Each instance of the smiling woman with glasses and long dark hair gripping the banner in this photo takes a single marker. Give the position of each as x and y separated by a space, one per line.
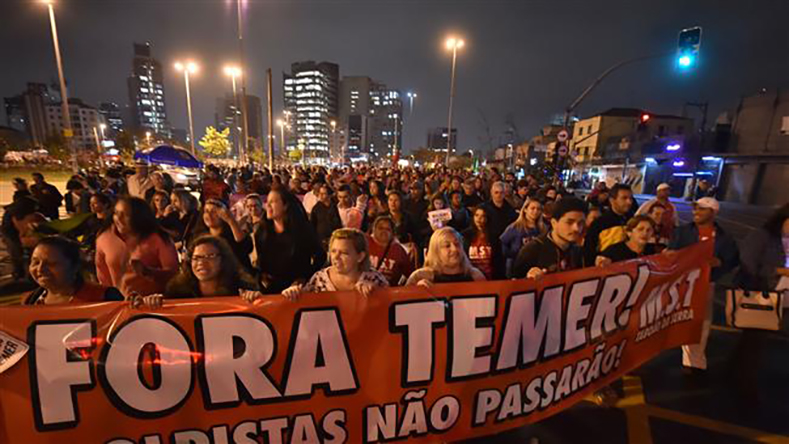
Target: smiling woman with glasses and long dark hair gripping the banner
213 270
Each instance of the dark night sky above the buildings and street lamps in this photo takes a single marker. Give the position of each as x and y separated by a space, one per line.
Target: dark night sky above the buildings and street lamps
523 59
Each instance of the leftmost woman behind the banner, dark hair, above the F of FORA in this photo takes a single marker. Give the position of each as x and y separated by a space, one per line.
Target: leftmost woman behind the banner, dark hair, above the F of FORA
56 266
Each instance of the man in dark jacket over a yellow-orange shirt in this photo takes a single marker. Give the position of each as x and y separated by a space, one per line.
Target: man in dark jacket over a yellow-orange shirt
609 228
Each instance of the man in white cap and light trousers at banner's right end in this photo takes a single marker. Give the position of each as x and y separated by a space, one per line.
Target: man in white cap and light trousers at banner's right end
725 258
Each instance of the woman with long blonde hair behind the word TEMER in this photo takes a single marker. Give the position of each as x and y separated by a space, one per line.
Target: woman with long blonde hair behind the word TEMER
446 261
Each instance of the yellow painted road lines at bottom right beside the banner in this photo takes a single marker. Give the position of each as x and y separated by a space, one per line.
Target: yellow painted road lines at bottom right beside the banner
638 412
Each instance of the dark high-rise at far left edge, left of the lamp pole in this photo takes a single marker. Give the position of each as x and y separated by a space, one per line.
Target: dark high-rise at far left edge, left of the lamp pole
26 112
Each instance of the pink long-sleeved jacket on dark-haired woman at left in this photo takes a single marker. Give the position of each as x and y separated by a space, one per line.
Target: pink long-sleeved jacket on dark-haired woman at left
113 262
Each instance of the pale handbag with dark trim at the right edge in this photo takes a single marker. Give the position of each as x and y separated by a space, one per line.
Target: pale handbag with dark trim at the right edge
761 310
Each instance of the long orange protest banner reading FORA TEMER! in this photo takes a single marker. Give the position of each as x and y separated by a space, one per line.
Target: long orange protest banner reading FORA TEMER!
451 362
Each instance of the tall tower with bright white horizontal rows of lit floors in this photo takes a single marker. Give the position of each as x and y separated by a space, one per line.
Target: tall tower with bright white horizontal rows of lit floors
310 95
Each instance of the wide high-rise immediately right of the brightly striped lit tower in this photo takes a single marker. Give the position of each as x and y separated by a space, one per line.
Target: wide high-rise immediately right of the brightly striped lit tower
377 132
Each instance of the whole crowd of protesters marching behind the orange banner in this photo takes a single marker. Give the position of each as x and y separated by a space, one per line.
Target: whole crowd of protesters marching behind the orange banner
135 235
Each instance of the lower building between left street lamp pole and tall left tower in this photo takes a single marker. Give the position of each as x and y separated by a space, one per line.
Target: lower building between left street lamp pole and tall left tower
84 119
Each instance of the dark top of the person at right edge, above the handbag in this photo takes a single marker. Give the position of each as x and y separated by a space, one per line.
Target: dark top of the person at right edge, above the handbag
761 254
